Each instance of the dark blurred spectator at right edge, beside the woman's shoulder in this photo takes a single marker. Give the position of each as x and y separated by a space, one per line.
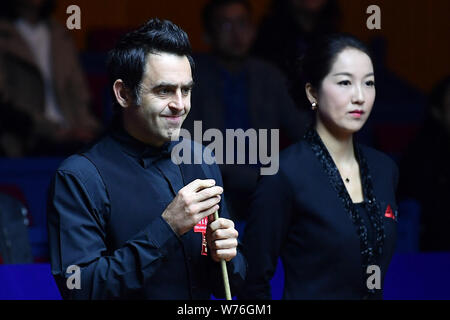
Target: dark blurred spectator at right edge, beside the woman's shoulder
425 172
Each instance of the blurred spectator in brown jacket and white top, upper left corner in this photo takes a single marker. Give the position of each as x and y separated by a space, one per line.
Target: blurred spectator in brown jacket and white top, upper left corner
42 86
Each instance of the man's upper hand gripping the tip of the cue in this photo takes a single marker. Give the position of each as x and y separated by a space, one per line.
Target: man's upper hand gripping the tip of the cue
197 200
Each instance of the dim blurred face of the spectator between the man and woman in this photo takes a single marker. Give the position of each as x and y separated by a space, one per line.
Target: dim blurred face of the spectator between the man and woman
232 31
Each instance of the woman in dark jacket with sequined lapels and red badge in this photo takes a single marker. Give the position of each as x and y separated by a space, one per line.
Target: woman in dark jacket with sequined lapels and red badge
330 212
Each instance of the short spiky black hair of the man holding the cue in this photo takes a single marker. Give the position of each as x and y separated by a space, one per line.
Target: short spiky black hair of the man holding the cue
127 60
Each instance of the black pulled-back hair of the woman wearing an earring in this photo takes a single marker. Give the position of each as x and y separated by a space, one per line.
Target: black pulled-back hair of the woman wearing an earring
318 60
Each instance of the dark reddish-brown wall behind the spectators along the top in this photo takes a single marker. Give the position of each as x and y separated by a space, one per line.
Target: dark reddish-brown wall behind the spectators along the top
417 32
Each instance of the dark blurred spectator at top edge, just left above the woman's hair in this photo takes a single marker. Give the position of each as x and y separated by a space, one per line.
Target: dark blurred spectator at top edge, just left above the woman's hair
291 25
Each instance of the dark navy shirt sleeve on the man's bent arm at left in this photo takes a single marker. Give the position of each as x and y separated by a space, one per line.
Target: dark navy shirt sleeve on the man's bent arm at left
77 209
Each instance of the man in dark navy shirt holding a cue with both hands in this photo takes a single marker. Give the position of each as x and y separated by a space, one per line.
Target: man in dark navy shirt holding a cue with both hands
136 224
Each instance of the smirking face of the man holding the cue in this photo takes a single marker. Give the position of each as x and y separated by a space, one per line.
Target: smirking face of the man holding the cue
165 99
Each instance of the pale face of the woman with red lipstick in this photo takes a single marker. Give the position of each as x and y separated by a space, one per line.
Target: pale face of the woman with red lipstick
347 93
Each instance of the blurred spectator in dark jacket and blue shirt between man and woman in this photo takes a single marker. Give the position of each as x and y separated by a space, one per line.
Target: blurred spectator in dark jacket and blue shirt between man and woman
236 91
